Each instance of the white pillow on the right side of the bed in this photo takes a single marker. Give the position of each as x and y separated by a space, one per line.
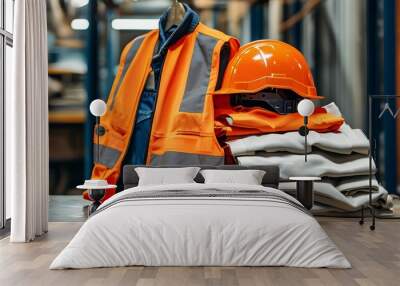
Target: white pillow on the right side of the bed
248 177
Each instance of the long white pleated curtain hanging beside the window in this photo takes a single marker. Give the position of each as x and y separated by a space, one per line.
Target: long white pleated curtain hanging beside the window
27 123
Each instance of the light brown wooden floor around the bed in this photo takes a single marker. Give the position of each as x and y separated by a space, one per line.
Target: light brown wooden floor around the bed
375 257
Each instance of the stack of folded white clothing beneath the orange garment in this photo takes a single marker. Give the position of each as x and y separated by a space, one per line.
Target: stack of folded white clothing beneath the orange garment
340 159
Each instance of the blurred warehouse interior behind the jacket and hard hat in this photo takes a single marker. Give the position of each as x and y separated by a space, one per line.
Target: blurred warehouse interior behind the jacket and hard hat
344 42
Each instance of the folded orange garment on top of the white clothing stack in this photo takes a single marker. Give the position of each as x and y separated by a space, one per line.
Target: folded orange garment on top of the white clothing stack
244 121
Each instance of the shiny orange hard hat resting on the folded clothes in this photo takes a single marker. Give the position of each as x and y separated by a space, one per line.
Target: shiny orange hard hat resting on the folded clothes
268 64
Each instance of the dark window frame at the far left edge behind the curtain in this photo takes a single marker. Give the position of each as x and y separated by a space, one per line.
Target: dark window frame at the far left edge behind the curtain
6 39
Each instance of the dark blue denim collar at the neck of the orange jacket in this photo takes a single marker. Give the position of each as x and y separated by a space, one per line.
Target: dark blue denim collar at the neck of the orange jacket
188 24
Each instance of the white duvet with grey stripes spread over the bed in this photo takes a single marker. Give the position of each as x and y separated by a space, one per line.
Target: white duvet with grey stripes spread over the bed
189 231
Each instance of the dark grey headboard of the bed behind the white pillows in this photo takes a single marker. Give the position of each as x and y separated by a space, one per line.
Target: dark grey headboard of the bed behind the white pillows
271 177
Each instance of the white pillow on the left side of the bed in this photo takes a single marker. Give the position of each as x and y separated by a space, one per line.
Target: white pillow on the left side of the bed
166 176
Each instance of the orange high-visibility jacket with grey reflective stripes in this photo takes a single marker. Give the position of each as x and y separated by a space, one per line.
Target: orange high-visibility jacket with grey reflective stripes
183 122
